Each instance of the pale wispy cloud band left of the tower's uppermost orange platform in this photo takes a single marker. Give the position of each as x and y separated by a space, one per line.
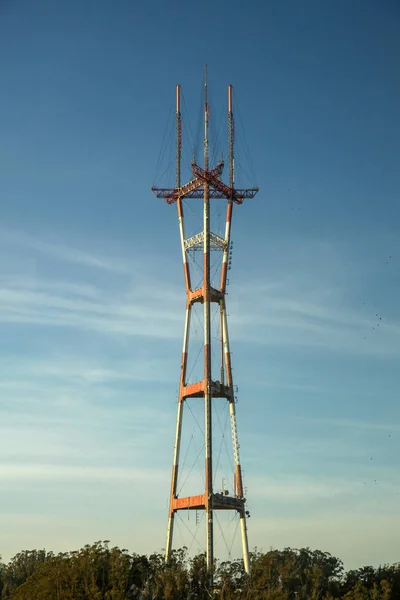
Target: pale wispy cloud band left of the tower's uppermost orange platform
110 312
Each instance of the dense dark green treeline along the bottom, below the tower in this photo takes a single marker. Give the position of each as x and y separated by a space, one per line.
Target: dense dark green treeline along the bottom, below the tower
98 572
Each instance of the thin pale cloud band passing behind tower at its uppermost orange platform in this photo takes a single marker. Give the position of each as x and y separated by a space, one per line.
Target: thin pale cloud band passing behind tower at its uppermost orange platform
140 311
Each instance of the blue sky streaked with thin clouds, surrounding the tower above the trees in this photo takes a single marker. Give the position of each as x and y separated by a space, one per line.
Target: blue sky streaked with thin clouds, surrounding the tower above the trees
92 298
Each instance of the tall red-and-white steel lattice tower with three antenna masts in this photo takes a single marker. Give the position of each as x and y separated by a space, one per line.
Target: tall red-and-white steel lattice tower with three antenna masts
206 183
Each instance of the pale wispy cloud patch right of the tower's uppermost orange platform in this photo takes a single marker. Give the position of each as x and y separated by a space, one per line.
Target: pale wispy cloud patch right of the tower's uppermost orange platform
287 315
